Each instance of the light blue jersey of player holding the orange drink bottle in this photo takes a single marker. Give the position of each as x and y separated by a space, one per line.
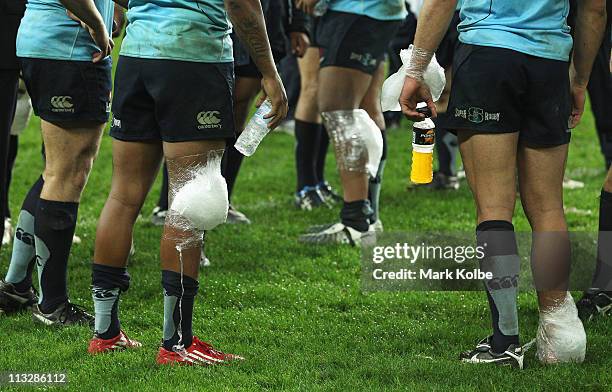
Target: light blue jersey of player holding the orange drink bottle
535 27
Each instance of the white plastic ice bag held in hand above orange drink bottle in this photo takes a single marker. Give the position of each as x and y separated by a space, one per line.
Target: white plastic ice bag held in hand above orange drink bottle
392 88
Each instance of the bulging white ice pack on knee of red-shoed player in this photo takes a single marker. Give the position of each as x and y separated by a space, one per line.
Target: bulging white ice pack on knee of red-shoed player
202 199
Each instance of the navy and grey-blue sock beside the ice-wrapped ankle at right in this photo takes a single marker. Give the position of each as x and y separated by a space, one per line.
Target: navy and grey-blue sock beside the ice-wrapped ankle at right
501 259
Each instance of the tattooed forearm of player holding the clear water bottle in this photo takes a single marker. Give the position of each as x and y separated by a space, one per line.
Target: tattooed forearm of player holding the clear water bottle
250 26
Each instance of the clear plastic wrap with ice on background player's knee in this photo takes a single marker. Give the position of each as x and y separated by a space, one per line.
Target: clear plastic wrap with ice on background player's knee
358 142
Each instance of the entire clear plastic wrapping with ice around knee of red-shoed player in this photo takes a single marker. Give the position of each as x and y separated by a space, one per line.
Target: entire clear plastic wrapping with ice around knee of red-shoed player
197 196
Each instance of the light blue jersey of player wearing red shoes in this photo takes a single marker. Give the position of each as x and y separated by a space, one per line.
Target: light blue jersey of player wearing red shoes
187 30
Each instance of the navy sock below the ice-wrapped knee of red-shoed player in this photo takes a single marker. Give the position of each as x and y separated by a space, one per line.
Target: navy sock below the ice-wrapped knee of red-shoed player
178 308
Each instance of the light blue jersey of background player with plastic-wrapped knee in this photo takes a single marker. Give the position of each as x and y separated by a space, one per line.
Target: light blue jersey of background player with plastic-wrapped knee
376 9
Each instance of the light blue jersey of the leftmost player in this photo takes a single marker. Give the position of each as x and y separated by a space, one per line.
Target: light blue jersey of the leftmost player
47 32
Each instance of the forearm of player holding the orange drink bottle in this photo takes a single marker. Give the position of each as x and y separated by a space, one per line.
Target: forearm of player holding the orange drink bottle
433 22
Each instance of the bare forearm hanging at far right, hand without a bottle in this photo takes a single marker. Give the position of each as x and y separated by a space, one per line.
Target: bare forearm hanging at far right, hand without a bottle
590 27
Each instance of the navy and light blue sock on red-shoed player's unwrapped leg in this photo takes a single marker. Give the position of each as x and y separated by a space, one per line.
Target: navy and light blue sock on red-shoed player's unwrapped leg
107 285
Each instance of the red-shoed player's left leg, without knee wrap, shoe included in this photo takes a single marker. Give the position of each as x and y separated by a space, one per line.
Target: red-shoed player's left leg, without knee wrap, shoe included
131 181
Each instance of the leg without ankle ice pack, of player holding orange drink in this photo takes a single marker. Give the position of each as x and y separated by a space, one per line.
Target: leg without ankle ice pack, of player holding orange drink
490 167
